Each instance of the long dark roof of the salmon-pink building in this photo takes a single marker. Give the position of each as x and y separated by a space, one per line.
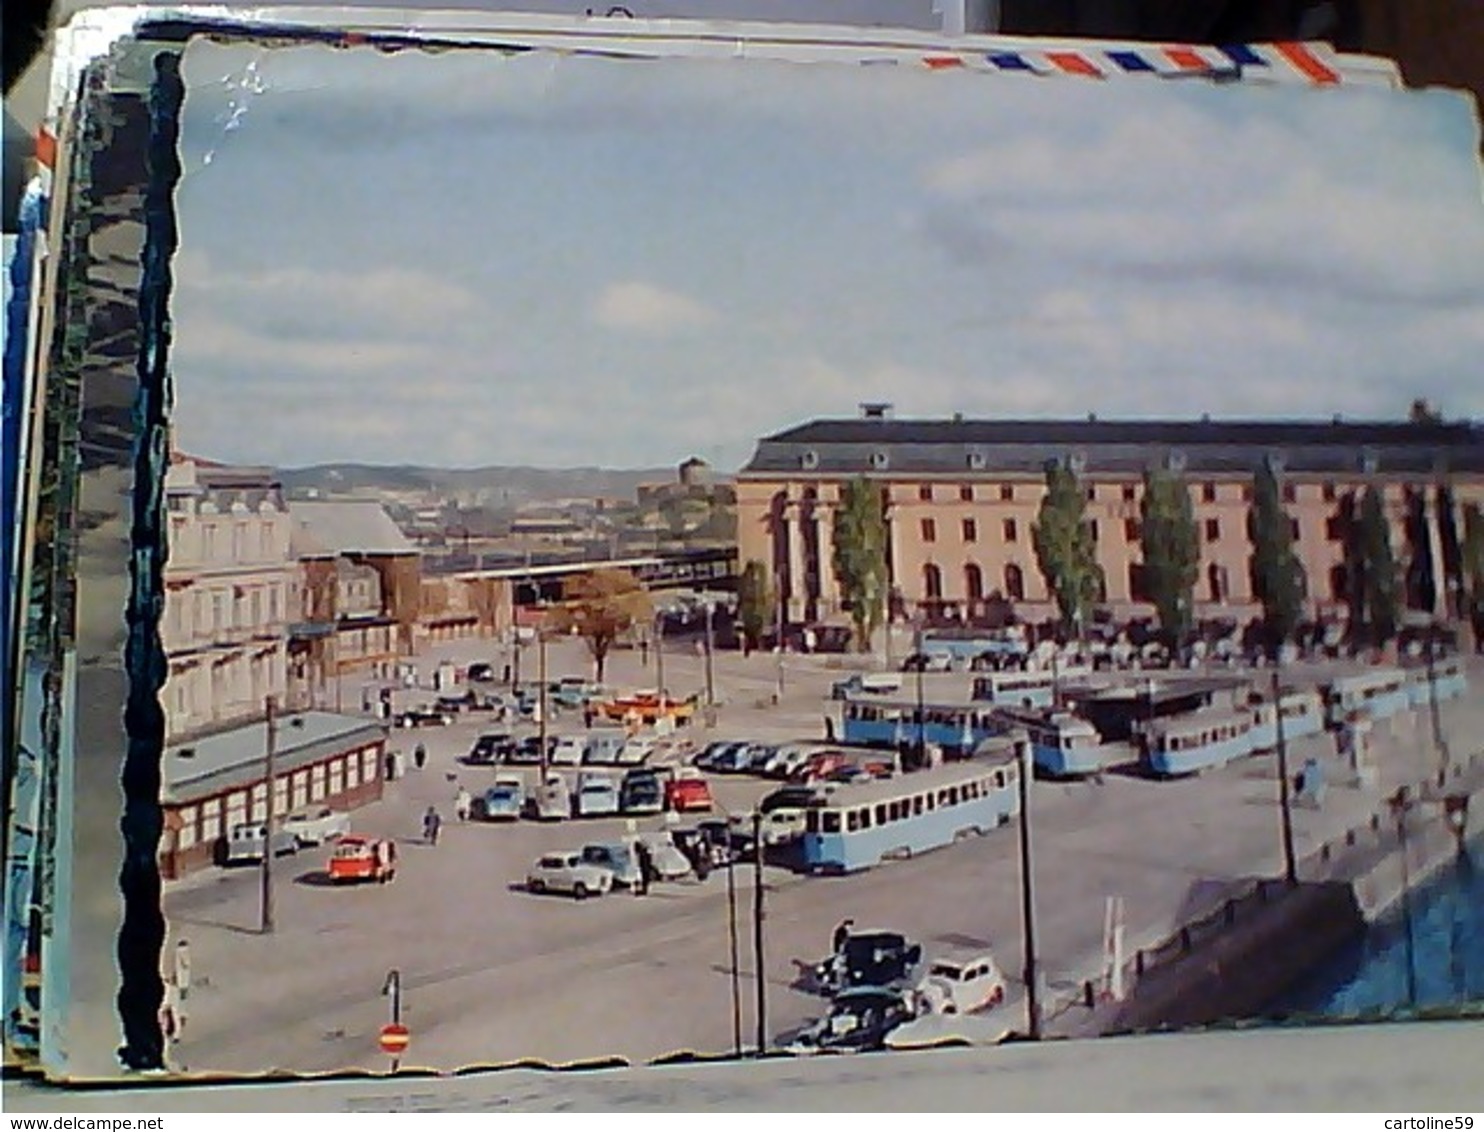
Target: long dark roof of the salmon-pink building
1115 447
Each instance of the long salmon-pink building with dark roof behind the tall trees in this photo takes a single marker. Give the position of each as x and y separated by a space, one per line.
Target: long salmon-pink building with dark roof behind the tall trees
964 495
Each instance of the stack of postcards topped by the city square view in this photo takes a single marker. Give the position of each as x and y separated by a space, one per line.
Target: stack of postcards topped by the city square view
680 533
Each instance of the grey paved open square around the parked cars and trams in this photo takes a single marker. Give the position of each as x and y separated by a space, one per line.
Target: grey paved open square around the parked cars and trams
492 974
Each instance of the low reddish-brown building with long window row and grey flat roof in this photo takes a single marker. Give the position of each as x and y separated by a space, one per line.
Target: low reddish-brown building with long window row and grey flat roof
220 781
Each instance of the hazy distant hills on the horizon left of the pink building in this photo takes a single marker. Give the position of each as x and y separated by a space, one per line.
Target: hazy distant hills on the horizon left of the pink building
487 487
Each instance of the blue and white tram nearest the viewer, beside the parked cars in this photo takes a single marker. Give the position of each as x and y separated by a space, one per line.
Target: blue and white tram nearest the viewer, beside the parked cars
858 827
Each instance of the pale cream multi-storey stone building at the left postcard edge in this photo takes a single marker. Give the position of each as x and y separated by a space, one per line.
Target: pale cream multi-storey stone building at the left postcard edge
228 585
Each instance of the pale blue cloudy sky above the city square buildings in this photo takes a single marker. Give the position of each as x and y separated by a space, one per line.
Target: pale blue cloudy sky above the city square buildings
473 260
